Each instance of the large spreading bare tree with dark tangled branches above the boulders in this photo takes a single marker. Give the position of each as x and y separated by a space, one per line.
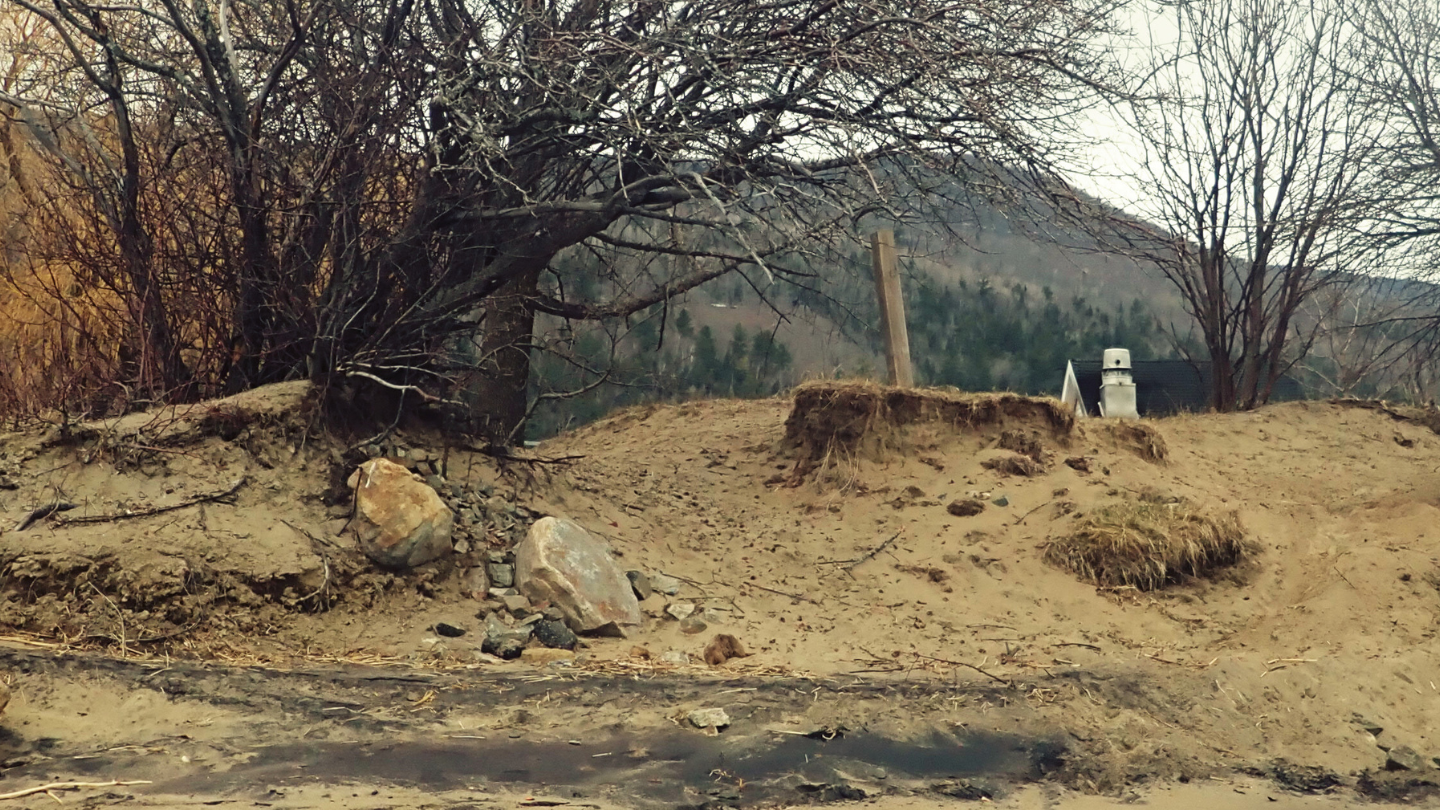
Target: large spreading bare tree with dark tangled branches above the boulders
401 175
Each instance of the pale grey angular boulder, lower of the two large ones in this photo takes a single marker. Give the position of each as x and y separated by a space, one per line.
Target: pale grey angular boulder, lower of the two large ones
562 564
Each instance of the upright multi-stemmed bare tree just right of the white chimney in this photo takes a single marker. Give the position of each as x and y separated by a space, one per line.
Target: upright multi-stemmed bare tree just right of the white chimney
1256 164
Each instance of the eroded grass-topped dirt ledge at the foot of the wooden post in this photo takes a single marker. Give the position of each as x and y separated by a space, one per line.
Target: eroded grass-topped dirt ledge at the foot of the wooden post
836 424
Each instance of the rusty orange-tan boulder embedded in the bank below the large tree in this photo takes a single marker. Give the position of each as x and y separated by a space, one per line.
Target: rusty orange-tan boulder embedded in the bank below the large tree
400 521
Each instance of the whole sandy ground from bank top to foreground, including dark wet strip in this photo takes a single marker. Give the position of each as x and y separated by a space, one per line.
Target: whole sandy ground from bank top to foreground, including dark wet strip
237 648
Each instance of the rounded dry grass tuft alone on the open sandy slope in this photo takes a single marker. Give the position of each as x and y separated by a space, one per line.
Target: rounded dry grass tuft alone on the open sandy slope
1150 546
